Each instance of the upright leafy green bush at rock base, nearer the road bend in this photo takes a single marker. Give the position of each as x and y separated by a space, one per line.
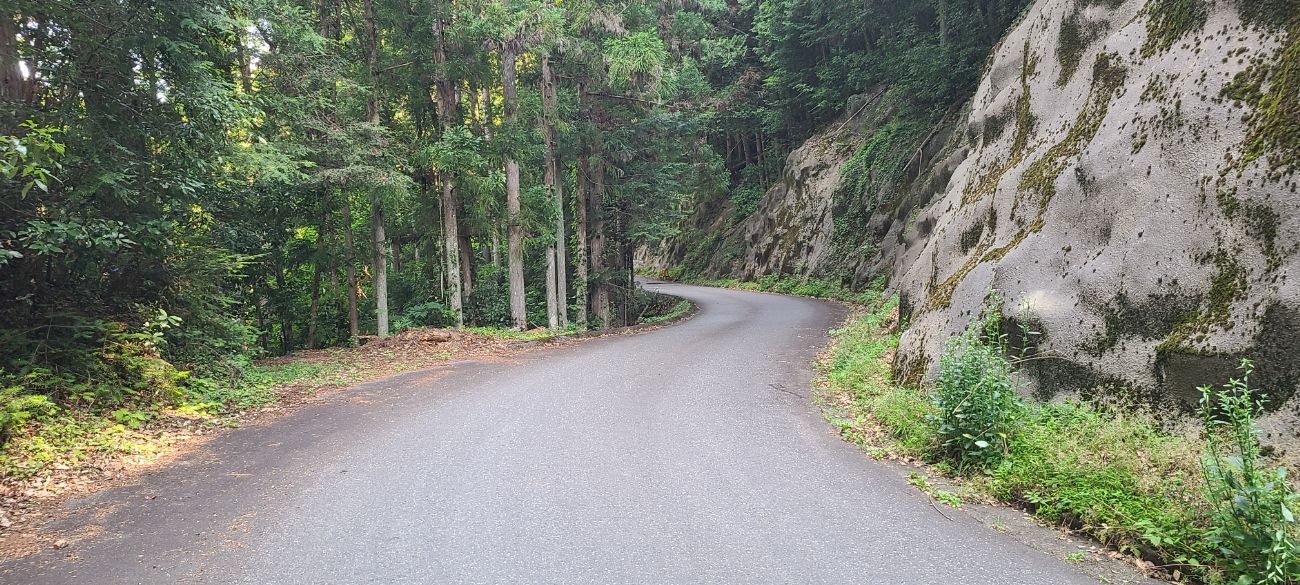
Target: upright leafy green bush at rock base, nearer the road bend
977 401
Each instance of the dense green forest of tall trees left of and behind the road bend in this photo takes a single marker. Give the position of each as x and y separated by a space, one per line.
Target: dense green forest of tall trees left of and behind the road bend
193 185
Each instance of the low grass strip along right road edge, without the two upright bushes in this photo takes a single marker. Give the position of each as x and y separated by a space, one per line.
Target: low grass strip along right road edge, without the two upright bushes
1116 473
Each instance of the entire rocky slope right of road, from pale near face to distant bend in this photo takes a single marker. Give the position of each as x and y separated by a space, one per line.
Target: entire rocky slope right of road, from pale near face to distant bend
1125 177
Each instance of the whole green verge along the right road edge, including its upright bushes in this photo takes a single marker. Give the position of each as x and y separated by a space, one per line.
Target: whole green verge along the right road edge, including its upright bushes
1116 473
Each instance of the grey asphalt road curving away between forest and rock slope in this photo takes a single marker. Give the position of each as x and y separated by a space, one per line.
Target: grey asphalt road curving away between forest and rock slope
690 454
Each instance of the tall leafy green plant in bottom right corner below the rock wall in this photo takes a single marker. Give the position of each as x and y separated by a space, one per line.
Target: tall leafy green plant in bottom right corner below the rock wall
1255 527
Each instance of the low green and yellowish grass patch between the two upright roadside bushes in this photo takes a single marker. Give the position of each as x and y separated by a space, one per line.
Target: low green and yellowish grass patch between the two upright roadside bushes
1111 473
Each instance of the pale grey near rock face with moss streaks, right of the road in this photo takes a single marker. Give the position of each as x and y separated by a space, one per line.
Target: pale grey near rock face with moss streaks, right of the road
1126 203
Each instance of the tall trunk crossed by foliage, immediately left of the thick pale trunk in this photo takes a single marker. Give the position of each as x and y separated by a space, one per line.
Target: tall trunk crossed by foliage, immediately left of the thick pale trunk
450 227
